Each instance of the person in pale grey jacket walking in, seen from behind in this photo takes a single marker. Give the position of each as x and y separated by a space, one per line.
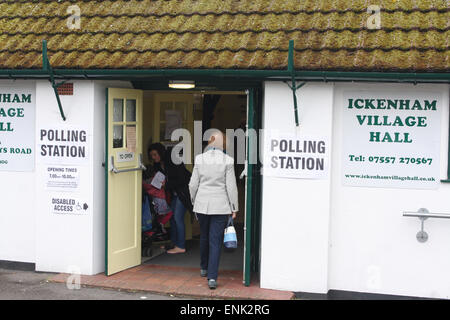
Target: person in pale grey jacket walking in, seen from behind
214 195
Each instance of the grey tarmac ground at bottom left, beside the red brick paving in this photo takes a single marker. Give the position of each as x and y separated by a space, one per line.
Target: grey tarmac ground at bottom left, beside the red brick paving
30 285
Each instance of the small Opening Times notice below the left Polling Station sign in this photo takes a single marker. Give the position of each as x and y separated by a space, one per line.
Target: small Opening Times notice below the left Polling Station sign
62 178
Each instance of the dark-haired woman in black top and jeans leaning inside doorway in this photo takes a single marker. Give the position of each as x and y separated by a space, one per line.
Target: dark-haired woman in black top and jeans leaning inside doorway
176 184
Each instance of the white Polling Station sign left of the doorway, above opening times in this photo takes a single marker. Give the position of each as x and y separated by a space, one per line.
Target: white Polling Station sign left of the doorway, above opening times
63 145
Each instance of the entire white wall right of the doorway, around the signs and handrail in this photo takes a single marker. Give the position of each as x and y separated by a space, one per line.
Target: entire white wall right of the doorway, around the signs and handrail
319 235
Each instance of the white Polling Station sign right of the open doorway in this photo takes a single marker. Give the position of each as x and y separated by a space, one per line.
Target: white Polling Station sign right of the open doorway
299 156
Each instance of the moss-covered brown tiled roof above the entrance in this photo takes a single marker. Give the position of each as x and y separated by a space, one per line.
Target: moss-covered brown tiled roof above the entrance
136 34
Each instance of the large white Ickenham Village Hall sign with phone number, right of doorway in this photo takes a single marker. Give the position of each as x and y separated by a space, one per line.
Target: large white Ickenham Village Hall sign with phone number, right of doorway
391 139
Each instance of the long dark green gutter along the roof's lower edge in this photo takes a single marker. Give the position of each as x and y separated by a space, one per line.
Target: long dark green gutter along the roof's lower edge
231 73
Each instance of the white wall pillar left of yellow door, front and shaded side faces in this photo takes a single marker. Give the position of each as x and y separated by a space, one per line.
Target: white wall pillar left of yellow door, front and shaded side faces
76 243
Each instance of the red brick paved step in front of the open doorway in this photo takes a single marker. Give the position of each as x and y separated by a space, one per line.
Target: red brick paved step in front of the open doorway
180 282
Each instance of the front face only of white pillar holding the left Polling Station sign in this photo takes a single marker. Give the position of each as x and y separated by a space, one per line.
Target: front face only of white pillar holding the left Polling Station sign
65 241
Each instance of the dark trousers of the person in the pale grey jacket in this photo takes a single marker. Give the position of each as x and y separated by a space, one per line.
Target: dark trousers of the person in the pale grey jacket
211 239
